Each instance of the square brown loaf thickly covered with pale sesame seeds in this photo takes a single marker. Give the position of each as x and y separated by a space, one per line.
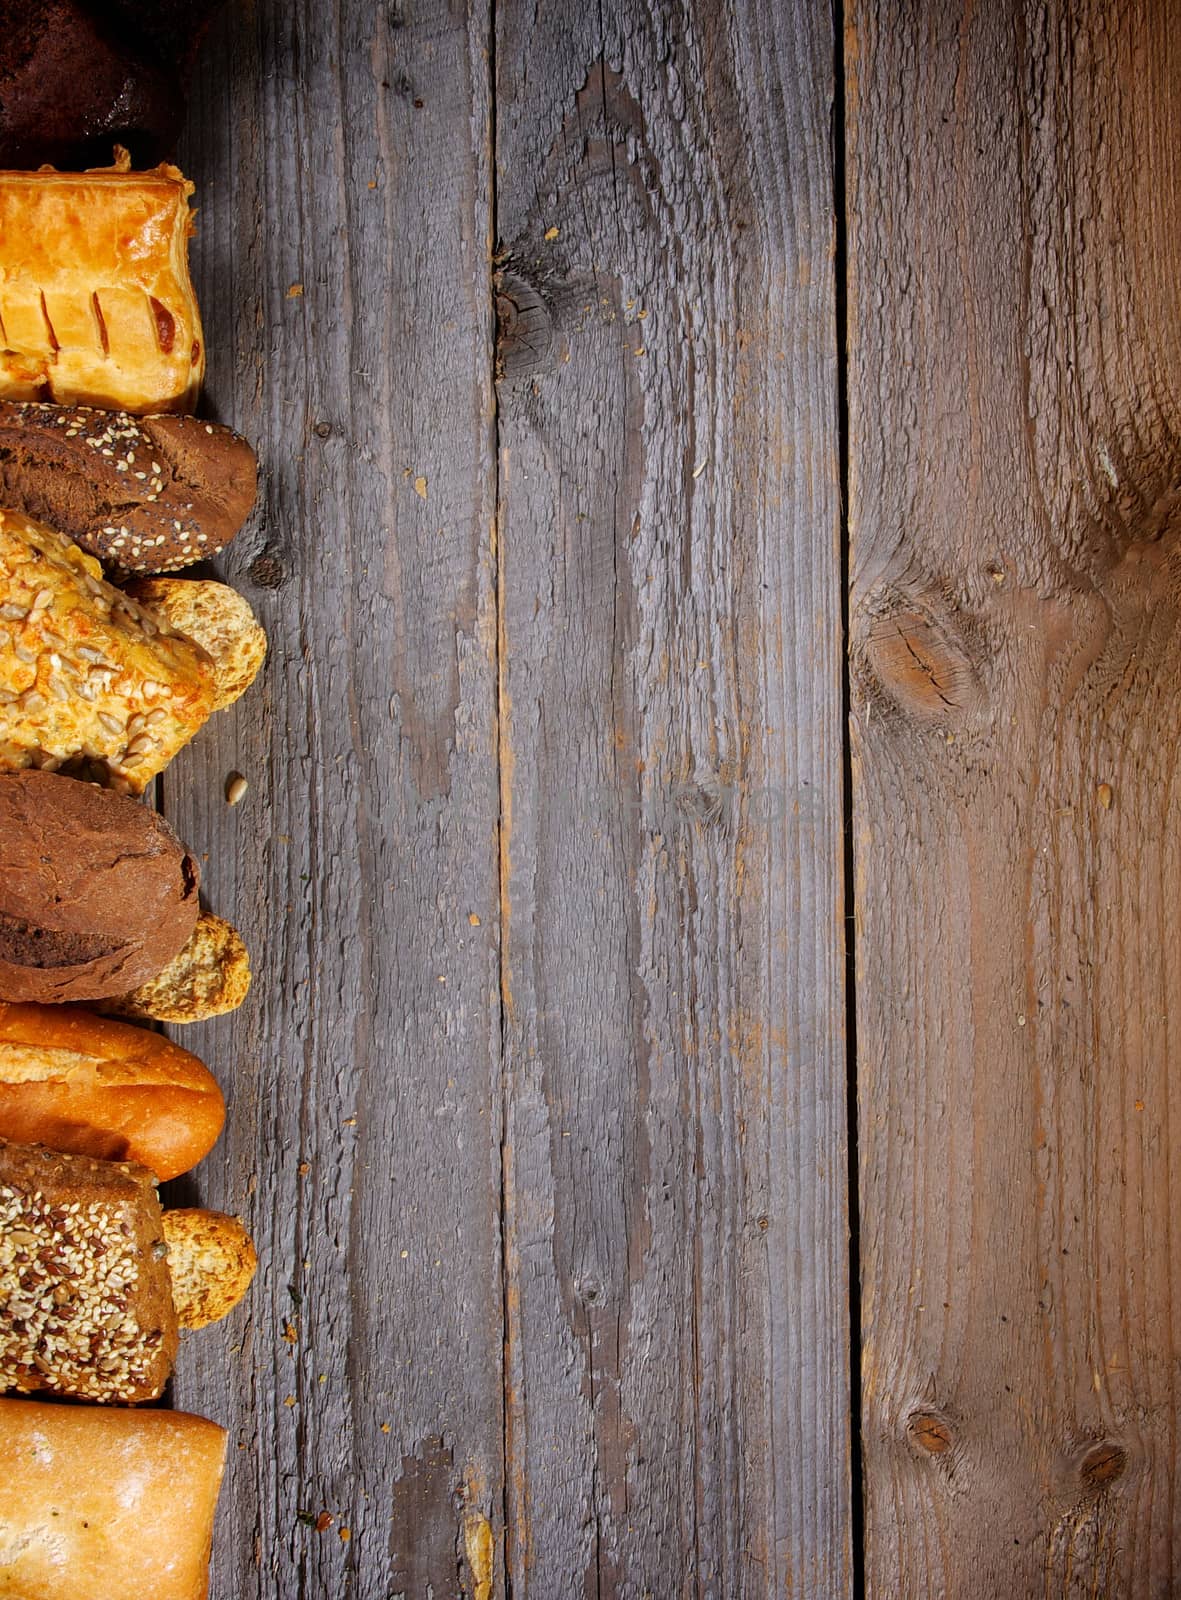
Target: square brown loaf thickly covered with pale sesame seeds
86 1297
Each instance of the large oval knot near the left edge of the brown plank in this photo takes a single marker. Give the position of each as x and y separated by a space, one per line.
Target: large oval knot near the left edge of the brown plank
918 652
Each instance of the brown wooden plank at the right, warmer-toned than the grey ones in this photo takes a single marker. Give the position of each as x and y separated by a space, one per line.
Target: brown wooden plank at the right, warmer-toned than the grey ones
1014 399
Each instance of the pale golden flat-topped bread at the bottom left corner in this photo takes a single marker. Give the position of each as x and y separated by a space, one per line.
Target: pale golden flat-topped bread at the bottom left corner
106 1505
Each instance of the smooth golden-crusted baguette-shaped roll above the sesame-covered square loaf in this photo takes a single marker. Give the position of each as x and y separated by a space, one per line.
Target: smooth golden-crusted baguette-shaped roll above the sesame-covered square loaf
95 1087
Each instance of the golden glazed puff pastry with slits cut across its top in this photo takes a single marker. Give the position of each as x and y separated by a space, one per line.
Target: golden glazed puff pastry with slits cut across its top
95 298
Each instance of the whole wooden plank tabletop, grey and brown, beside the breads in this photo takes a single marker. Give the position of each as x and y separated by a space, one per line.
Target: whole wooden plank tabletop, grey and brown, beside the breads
622 942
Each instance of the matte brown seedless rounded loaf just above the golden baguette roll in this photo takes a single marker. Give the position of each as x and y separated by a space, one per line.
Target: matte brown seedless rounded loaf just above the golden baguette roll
97 892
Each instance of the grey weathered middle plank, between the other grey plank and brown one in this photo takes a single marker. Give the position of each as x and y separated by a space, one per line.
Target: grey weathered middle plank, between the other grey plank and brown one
676 1212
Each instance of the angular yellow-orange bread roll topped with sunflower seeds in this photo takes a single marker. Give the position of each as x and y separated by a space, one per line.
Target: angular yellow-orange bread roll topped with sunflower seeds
89 679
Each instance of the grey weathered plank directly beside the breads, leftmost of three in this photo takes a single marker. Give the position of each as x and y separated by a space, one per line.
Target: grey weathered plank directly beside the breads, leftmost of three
346 150
